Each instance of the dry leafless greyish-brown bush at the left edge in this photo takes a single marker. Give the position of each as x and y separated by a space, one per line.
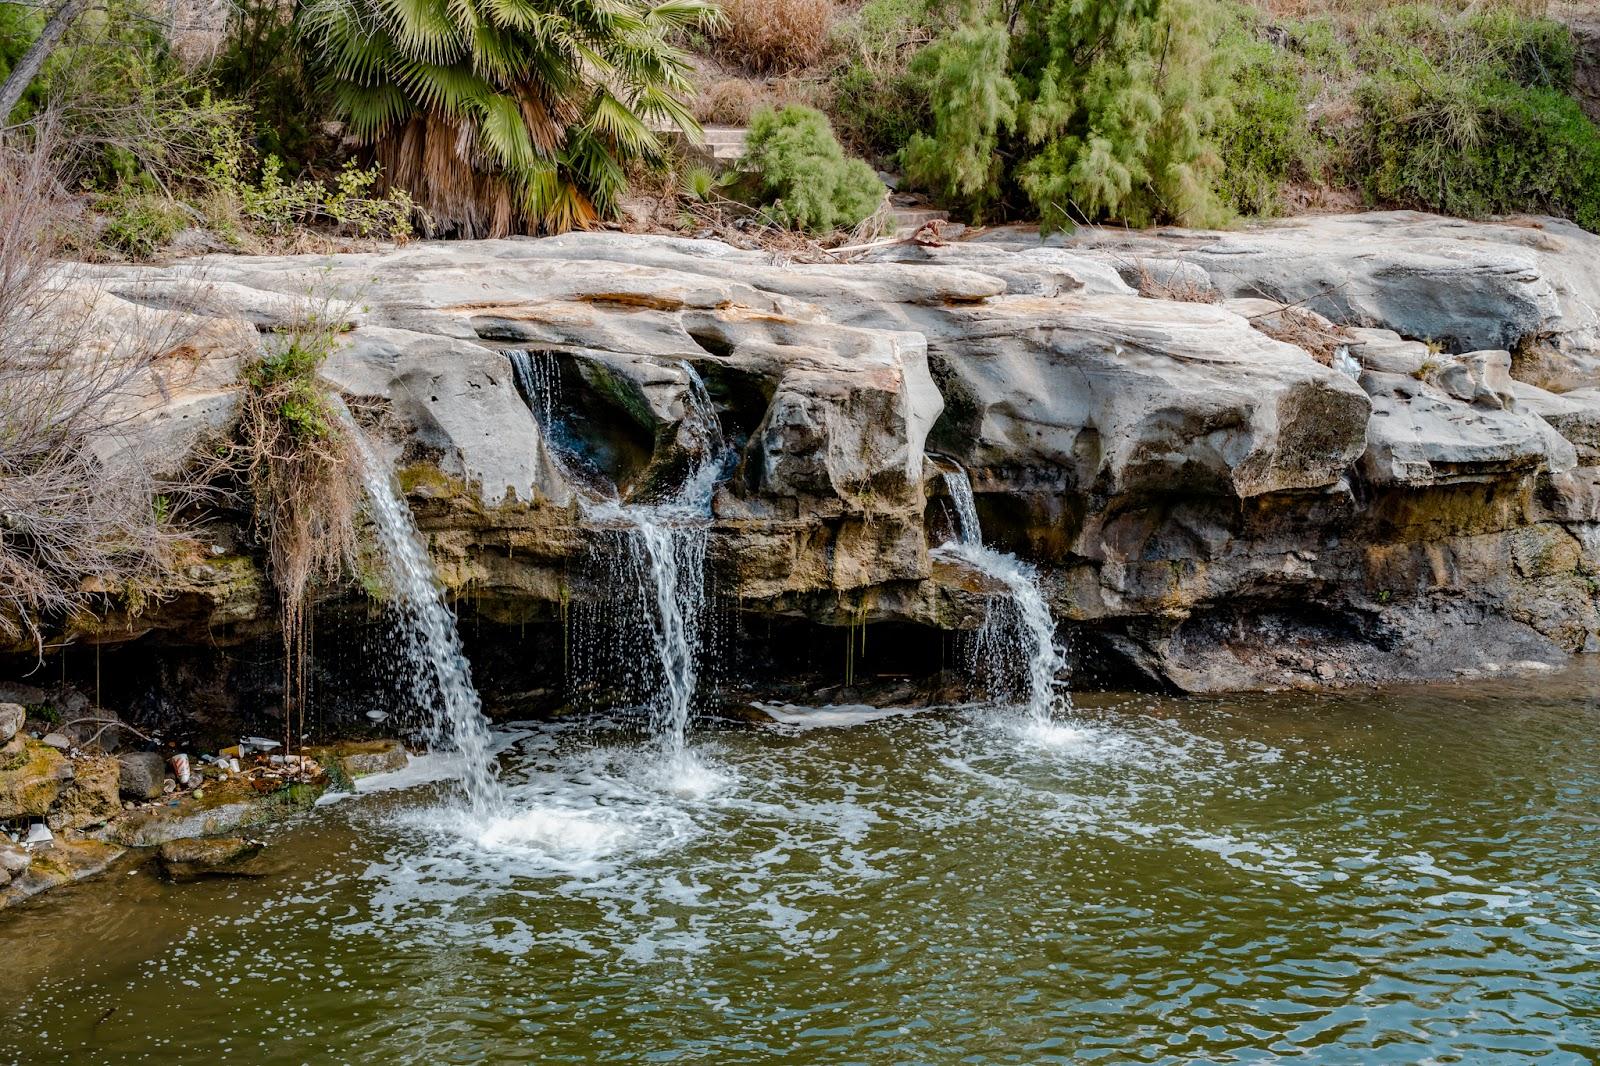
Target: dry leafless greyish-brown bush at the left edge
76 523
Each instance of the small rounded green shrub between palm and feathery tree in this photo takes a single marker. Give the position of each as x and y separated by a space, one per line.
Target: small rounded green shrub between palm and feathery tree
799 175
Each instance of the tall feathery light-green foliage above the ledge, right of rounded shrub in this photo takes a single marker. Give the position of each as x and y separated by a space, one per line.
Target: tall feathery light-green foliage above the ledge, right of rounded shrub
1092 108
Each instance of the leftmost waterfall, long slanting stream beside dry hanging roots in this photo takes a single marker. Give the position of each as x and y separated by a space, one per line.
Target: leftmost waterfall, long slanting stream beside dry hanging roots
438 671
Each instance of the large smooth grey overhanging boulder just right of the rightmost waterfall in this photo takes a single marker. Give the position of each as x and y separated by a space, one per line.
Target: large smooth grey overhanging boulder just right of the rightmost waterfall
1140 398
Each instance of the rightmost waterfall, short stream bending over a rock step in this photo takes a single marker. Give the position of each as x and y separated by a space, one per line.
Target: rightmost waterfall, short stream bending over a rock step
1020 627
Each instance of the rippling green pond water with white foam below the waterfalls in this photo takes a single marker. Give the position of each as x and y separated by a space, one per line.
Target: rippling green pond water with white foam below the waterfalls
1383 878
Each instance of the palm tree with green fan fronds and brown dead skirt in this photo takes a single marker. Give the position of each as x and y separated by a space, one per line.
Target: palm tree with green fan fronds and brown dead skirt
508 116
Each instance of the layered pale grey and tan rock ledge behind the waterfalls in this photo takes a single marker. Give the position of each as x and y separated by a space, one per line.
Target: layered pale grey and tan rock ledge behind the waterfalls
1210 507
